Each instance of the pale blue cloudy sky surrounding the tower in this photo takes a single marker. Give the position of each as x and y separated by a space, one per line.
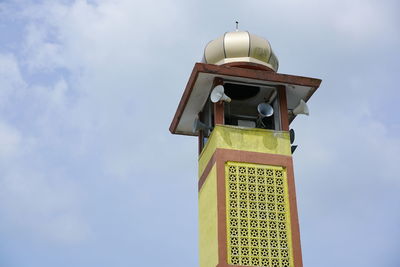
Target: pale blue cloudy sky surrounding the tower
91 176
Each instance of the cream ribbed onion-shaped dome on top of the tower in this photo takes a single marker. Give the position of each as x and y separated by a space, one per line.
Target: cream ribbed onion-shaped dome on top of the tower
237 47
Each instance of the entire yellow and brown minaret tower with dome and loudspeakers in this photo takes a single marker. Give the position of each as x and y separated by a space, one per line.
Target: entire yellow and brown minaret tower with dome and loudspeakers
240 108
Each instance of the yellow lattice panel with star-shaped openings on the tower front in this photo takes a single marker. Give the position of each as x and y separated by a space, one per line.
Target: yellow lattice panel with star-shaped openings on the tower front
258 219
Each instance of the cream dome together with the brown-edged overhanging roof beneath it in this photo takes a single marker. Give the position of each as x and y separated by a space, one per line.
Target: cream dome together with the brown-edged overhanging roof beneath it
243 58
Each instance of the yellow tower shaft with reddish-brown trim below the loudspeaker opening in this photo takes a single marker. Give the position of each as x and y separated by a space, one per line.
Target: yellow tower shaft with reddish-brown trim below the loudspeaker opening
269 233
